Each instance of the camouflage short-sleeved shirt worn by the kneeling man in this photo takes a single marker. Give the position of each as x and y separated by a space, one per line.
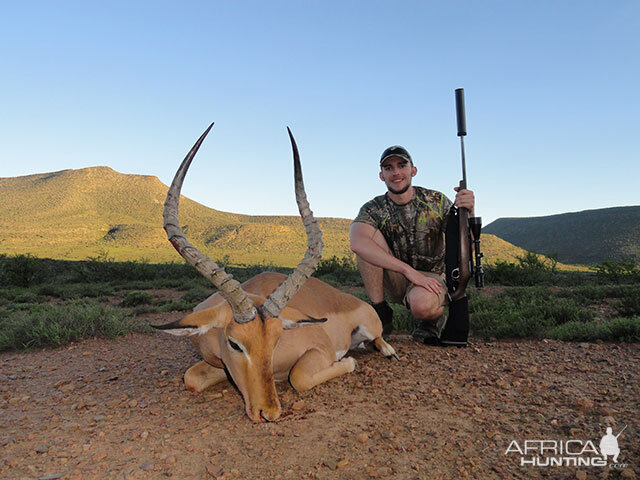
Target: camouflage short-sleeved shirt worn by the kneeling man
414 231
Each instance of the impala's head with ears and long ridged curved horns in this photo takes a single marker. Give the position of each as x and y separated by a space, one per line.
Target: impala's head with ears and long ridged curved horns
247 327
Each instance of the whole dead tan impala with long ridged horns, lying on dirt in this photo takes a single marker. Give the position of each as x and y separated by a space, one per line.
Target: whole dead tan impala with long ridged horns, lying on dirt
272 327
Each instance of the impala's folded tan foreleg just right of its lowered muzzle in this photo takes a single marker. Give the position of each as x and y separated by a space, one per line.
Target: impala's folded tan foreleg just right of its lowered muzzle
313 368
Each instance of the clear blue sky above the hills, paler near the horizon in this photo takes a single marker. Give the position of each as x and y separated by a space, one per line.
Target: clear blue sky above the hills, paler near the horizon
551 94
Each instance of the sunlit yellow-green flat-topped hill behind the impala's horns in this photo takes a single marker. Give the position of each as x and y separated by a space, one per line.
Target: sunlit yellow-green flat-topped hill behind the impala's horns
77 214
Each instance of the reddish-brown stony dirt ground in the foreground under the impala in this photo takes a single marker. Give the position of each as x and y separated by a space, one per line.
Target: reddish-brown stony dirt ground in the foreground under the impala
117 409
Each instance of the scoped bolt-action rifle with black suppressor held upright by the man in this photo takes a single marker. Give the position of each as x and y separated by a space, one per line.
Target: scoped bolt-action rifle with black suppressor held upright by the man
462 233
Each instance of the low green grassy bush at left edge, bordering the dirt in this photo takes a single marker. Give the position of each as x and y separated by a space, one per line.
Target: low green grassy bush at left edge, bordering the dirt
55 325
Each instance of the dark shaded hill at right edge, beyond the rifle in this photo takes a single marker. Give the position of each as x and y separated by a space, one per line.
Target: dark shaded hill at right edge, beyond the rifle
588 237
